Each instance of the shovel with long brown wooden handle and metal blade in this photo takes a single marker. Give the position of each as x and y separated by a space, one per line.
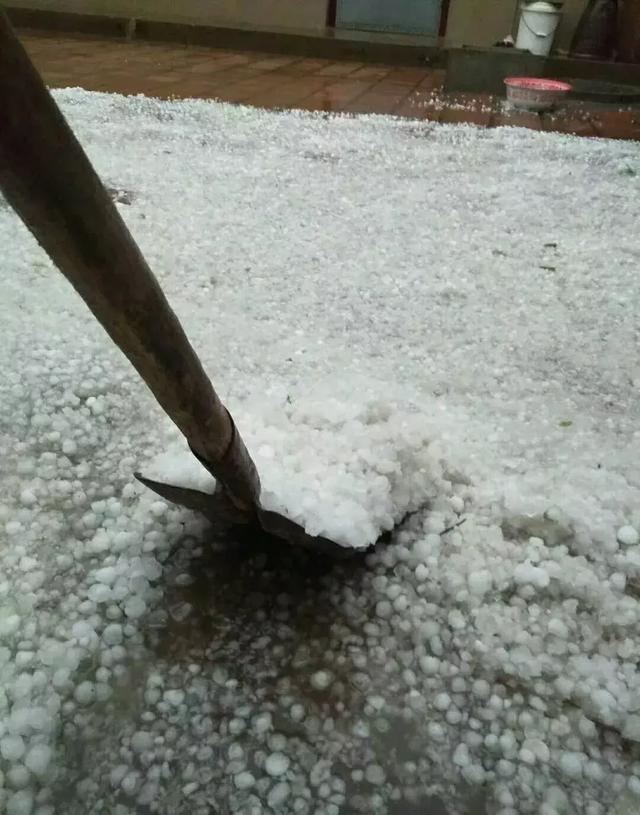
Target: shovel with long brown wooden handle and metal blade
47 178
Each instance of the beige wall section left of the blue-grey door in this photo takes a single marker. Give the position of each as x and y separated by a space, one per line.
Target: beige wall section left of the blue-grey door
294 14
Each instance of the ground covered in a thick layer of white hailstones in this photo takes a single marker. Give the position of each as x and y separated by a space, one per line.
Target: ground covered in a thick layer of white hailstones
447 318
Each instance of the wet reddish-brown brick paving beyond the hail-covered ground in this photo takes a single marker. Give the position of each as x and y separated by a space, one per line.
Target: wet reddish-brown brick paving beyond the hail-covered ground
273 81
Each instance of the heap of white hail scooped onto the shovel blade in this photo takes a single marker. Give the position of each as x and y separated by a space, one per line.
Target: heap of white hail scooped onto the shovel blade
348 471
